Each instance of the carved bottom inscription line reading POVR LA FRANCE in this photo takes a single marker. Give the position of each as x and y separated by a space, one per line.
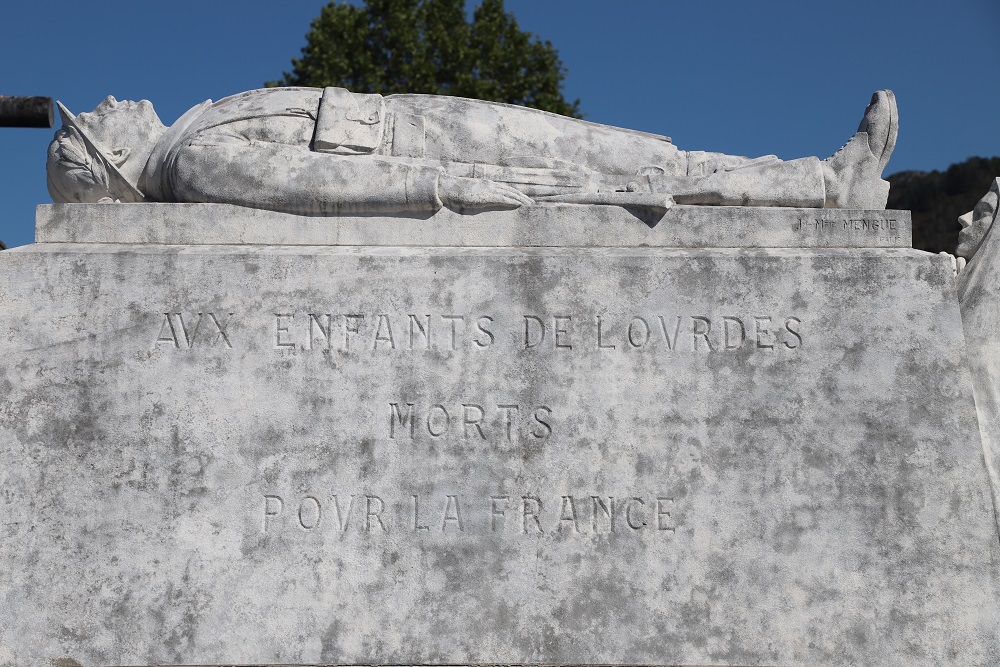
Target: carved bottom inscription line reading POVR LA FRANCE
453 513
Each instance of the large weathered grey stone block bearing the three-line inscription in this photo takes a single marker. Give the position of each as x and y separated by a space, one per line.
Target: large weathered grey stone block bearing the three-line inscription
788 434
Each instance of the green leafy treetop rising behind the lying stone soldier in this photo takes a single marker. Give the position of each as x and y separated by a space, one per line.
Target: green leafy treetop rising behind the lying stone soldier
429 46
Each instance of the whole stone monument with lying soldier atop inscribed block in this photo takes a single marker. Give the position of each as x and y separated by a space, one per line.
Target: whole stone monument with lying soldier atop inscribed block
347 379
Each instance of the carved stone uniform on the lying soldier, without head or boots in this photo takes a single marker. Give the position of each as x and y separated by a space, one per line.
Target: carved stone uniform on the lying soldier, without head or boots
321 151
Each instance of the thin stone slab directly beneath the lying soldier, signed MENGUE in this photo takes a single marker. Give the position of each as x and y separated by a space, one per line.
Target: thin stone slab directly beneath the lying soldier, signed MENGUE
539 225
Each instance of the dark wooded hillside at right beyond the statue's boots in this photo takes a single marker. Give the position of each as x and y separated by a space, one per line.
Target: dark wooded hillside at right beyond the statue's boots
936 199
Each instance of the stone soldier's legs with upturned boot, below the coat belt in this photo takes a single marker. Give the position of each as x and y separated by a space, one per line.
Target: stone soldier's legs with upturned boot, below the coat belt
471 131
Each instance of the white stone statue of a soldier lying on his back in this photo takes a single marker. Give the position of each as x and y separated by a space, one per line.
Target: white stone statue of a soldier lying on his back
327 151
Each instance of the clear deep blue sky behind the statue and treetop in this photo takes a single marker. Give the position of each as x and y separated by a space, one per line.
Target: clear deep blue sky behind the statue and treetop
789 77
